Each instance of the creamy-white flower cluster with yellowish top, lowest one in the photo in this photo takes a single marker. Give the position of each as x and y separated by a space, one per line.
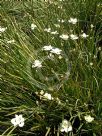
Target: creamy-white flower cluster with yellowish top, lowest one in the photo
65 126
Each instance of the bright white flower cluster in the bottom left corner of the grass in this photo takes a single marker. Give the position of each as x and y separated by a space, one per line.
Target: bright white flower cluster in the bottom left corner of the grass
18 120
